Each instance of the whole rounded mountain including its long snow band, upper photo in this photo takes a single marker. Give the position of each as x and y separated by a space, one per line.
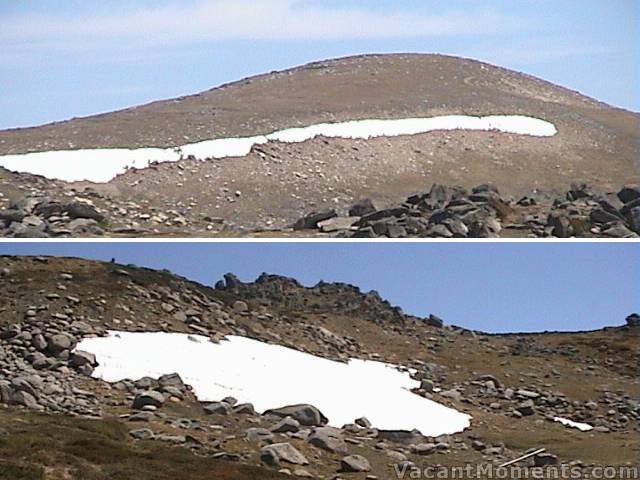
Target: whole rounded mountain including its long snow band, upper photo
271 182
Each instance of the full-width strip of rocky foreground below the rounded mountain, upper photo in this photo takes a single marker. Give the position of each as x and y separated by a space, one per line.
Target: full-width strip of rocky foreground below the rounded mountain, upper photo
50 210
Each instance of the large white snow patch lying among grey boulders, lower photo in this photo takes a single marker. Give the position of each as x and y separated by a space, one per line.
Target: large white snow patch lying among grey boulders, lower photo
271 376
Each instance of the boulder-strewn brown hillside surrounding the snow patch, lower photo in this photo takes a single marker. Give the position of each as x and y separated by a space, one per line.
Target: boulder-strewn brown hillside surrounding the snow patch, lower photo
512 385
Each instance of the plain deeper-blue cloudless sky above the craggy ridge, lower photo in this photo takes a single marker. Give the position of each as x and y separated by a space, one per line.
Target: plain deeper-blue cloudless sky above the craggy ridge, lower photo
493 287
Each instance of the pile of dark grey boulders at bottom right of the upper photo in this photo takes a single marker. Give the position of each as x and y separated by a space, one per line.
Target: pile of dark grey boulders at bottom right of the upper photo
454 212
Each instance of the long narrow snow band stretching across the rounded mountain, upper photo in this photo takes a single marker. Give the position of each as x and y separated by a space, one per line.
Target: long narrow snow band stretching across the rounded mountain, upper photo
104 164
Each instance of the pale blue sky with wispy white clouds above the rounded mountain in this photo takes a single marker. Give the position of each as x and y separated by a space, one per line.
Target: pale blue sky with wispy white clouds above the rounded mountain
66 58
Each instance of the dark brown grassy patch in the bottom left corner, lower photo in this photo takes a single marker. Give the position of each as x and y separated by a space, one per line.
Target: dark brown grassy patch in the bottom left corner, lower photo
55 447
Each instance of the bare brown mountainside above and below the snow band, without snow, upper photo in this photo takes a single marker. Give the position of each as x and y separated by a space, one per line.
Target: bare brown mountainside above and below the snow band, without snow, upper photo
596 143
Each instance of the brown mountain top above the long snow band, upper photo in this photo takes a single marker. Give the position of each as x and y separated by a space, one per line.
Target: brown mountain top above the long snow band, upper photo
351 88
